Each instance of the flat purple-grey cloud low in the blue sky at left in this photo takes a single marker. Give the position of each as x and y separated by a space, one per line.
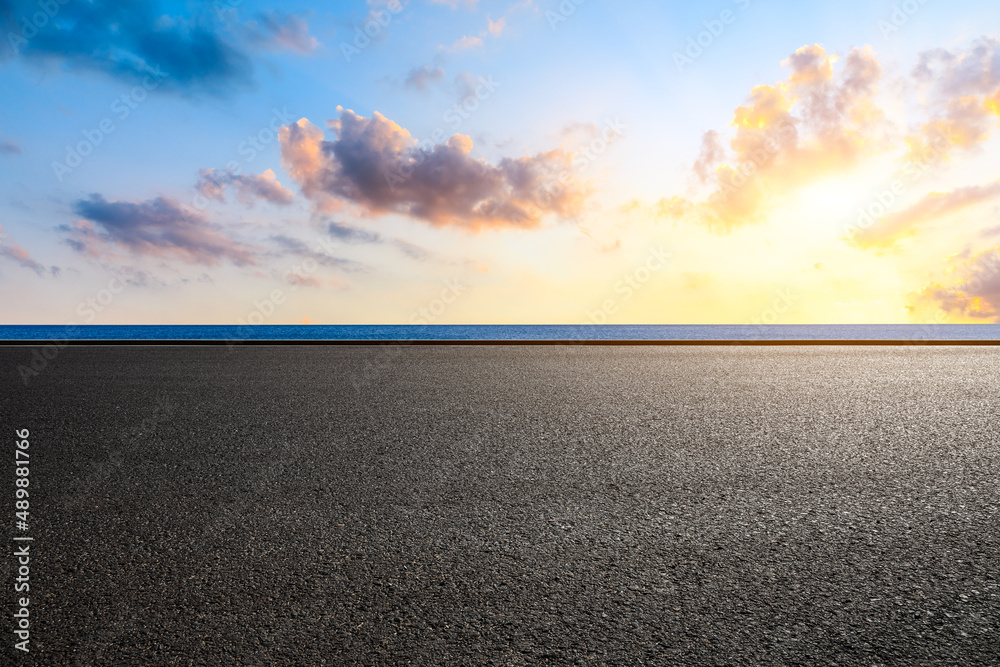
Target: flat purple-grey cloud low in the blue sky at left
153 228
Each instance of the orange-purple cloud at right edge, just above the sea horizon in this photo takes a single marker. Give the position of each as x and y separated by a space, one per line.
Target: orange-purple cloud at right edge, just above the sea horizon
974 296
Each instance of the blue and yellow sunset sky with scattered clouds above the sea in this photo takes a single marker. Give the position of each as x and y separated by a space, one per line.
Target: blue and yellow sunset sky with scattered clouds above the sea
499 162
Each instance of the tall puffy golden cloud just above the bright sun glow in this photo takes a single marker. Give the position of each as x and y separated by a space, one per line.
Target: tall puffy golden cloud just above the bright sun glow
816 122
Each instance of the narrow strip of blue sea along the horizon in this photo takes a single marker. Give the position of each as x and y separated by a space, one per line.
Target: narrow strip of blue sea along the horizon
512 332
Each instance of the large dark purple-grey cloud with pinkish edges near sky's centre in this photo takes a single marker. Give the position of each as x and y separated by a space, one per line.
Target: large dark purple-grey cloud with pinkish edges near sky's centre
376 165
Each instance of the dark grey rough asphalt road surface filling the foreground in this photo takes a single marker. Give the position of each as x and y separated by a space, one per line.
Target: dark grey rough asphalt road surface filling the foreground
503 505
